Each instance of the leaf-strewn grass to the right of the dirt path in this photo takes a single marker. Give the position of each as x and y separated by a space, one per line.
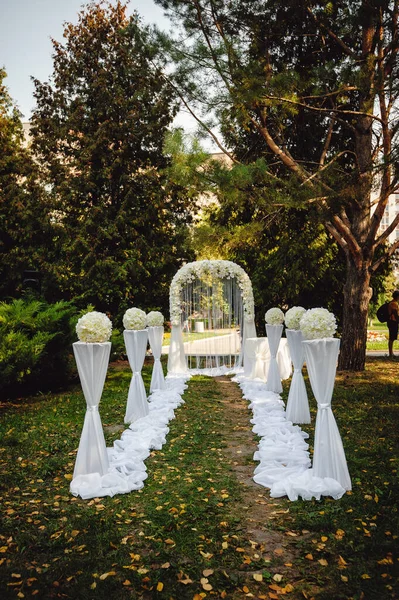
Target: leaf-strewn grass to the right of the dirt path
358 535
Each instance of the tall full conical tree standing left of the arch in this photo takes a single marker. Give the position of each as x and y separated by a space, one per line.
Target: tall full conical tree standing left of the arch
98 131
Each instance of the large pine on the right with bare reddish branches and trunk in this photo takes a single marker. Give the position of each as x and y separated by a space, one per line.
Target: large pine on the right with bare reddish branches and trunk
310 88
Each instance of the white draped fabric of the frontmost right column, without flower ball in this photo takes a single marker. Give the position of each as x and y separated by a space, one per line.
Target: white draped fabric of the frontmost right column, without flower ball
329 457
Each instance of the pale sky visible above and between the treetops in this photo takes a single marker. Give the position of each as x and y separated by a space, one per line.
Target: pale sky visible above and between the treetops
26 29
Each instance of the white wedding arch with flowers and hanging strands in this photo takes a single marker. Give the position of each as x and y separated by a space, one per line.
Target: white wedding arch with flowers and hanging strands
212 314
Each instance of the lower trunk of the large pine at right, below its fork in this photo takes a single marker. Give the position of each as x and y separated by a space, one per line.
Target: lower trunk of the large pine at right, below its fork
357 294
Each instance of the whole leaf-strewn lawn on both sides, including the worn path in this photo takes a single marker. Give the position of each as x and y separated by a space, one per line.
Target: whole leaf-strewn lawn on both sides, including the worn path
200 528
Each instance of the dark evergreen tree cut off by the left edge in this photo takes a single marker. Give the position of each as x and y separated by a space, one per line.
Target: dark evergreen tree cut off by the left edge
27 237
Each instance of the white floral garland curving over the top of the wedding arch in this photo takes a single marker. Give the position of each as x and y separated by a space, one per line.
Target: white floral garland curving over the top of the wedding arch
217 269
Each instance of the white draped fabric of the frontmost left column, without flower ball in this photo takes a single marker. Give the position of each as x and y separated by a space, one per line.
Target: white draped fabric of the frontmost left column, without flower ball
92 363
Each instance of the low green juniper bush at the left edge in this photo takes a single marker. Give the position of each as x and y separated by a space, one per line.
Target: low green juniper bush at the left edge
35 345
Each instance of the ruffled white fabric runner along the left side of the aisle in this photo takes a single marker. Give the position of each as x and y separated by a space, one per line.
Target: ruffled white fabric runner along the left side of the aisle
127 470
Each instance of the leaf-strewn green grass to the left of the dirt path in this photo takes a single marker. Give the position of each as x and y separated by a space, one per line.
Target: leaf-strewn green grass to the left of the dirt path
52 542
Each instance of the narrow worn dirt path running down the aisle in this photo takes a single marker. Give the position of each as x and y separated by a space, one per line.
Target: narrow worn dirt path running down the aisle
276 548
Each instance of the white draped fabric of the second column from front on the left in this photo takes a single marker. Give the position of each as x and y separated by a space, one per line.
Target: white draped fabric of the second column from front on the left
136 346
